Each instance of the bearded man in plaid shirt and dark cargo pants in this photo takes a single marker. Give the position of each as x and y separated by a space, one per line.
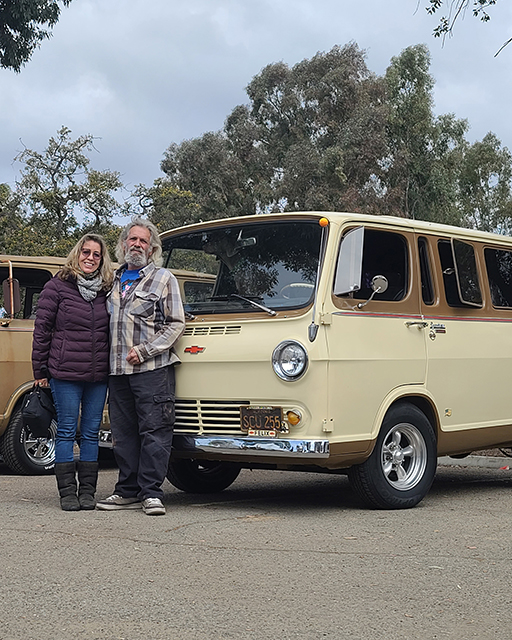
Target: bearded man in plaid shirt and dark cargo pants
146 319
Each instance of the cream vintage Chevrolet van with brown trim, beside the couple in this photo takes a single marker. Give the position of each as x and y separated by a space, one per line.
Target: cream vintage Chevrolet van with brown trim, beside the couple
341 343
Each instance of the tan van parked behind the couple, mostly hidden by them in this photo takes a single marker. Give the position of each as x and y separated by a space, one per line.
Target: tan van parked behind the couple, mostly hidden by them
23 279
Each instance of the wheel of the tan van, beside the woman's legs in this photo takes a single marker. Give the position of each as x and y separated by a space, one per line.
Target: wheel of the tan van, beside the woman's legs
25 454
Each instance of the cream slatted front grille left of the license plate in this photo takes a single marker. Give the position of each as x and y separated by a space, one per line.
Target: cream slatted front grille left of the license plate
208 416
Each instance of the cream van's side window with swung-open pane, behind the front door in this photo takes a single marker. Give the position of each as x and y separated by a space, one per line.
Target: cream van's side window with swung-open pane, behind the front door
460 274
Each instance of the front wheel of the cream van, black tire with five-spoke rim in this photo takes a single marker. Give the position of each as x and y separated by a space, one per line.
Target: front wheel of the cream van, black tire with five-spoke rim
402 466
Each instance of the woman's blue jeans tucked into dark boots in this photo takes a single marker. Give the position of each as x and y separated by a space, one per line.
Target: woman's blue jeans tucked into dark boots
69 398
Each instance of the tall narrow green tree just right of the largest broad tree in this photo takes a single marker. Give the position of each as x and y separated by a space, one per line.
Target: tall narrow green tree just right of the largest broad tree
420 177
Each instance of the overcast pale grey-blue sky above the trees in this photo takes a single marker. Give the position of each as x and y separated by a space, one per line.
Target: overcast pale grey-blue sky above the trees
141 74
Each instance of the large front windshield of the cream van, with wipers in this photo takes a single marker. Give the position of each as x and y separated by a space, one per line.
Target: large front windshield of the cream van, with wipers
273 264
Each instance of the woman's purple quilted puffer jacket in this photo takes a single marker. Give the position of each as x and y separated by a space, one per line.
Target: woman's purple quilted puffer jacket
71 335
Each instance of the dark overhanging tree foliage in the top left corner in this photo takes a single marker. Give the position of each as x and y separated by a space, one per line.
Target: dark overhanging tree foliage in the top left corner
24 24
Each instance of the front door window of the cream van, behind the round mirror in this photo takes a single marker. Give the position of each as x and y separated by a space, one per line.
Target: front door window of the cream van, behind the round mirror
384 254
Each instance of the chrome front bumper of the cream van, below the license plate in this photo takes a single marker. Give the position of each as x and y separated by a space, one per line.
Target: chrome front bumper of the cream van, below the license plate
243 445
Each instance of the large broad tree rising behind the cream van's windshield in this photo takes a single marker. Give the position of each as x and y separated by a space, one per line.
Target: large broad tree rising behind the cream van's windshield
309 139
